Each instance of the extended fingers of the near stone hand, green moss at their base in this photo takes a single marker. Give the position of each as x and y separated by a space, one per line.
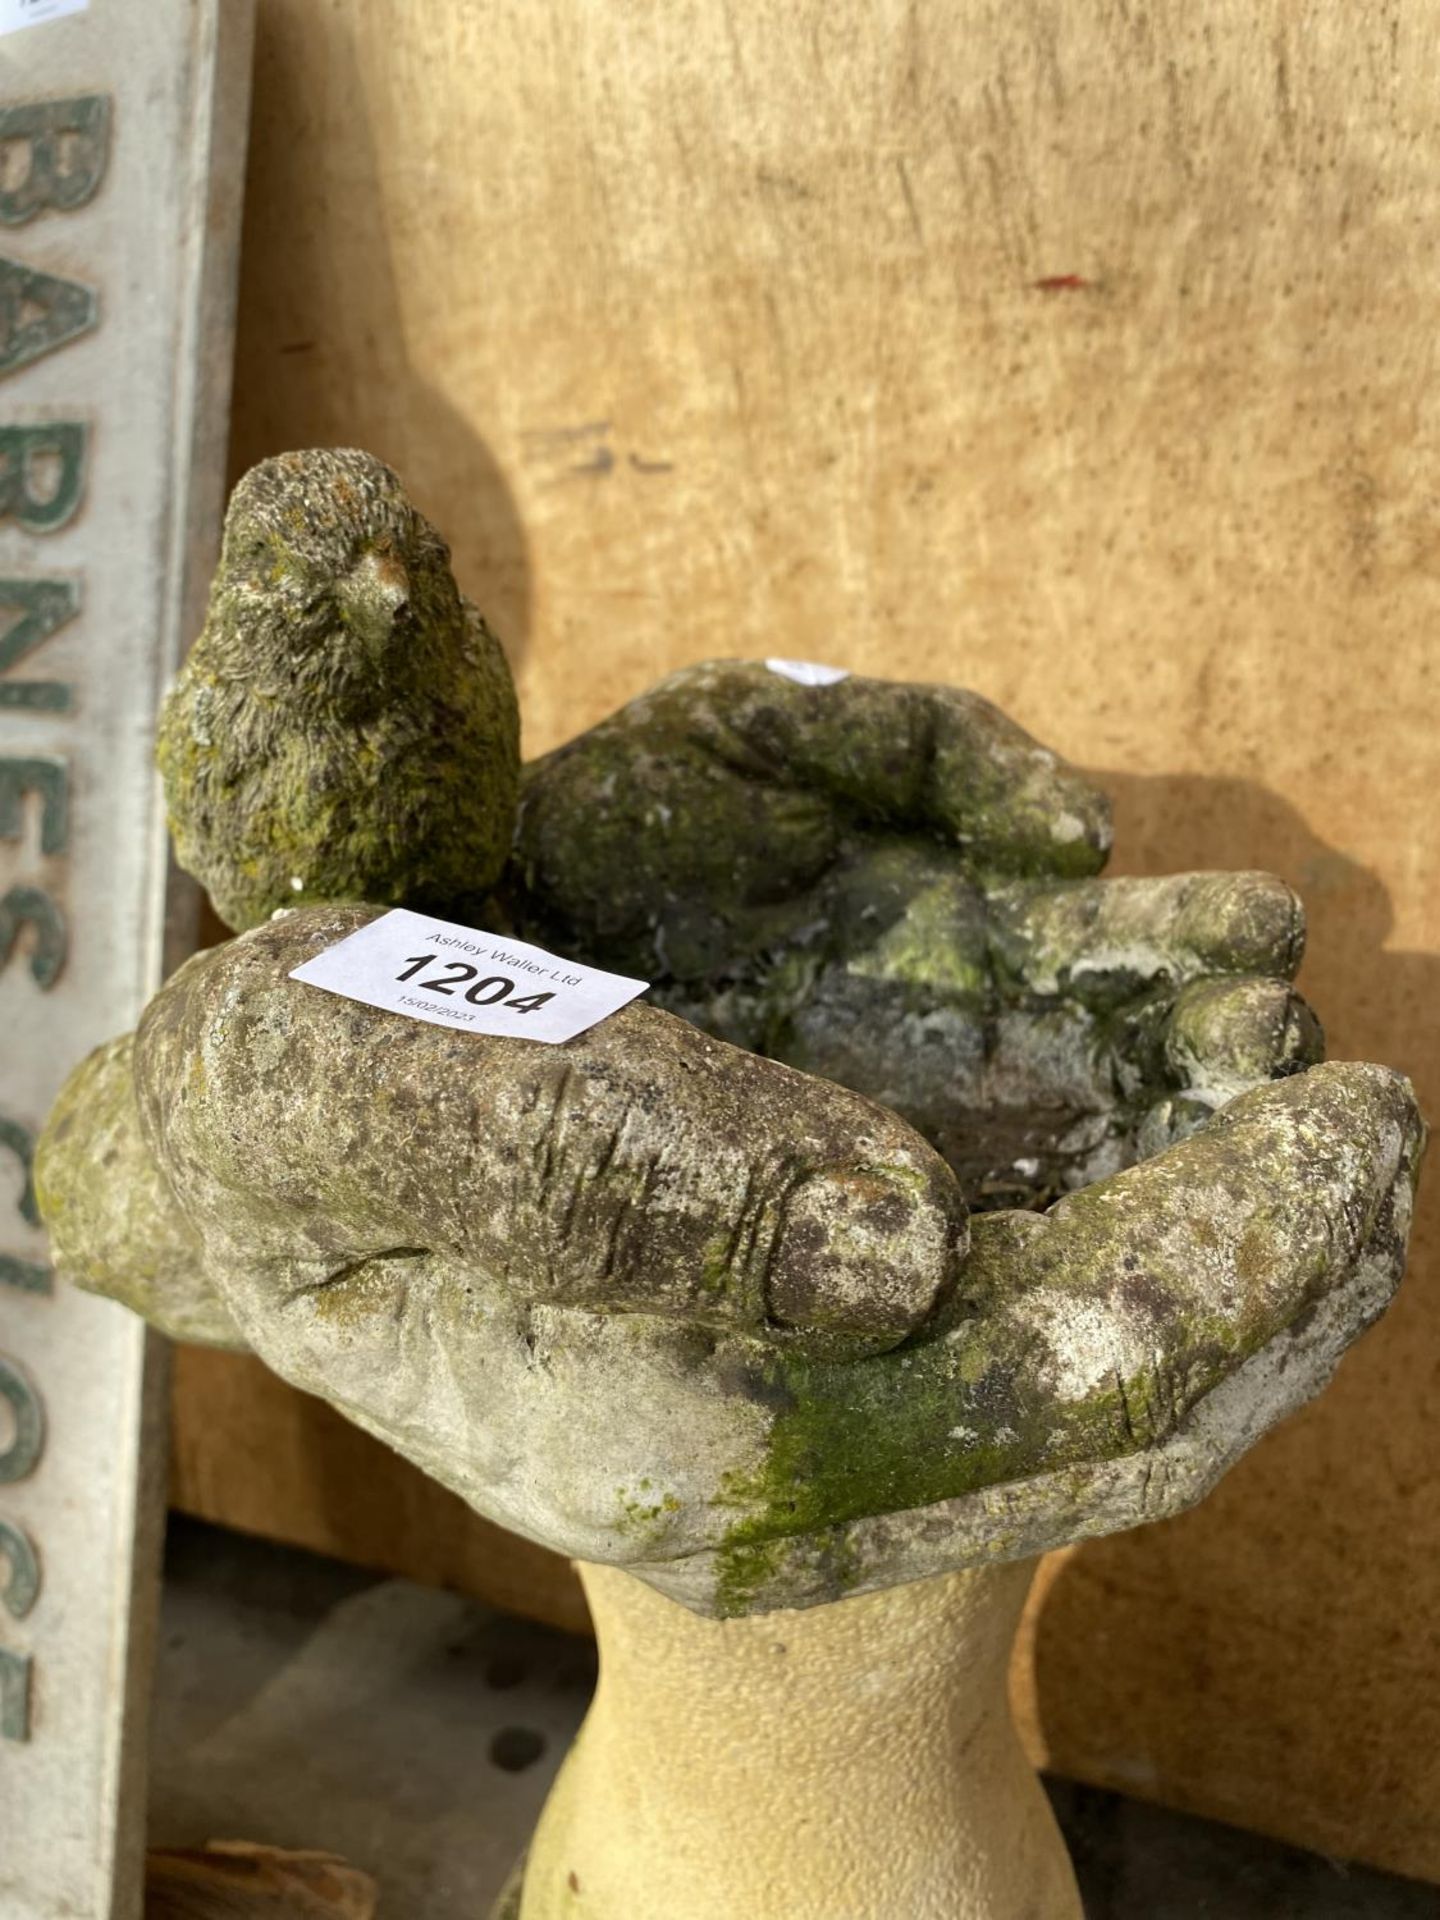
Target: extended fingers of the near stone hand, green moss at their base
1105 1362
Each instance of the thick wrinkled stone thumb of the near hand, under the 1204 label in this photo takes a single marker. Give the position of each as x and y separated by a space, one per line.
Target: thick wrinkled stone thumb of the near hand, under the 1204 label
640 1168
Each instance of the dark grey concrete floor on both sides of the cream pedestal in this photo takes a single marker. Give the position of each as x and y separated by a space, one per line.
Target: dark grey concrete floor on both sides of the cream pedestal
306 1704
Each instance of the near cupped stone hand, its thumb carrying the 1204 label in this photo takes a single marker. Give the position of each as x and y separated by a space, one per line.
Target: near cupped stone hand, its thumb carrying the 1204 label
661 1303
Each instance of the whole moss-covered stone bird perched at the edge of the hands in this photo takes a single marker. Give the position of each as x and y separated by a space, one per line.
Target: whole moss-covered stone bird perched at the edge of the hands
345 727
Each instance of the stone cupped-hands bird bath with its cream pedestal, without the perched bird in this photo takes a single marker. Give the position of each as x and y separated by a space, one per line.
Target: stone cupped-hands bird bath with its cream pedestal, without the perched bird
944 1207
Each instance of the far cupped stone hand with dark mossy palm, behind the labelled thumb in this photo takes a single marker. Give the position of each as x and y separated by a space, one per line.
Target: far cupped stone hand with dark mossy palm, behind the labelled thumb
894 888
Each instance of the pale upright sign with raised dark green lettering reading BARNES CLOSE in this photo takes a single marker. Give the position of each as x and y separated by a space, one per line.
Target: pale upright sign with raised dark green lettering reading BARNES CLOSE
122 147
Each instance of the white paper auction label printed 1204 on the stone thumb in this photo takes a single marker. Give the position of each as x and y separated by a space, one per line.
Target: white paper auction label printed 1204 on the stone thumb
464 978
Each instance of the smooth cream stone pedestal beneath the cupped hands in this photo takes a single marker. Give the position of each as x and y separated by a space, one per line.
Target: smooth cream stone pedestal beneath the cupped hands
842 1764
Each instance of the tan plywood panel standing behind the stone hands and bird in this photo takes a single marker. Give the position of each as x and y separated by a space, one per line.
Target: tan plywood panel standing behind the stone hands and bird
1084 356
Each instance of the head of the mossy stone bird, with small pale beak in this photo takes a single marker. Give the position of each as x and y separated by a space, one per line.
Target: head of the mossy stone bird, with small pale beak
331 575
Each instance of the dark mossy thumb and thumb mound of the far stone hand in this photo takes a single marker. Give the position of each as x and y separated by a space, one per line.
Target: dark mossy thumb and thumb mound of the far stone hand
706 821
